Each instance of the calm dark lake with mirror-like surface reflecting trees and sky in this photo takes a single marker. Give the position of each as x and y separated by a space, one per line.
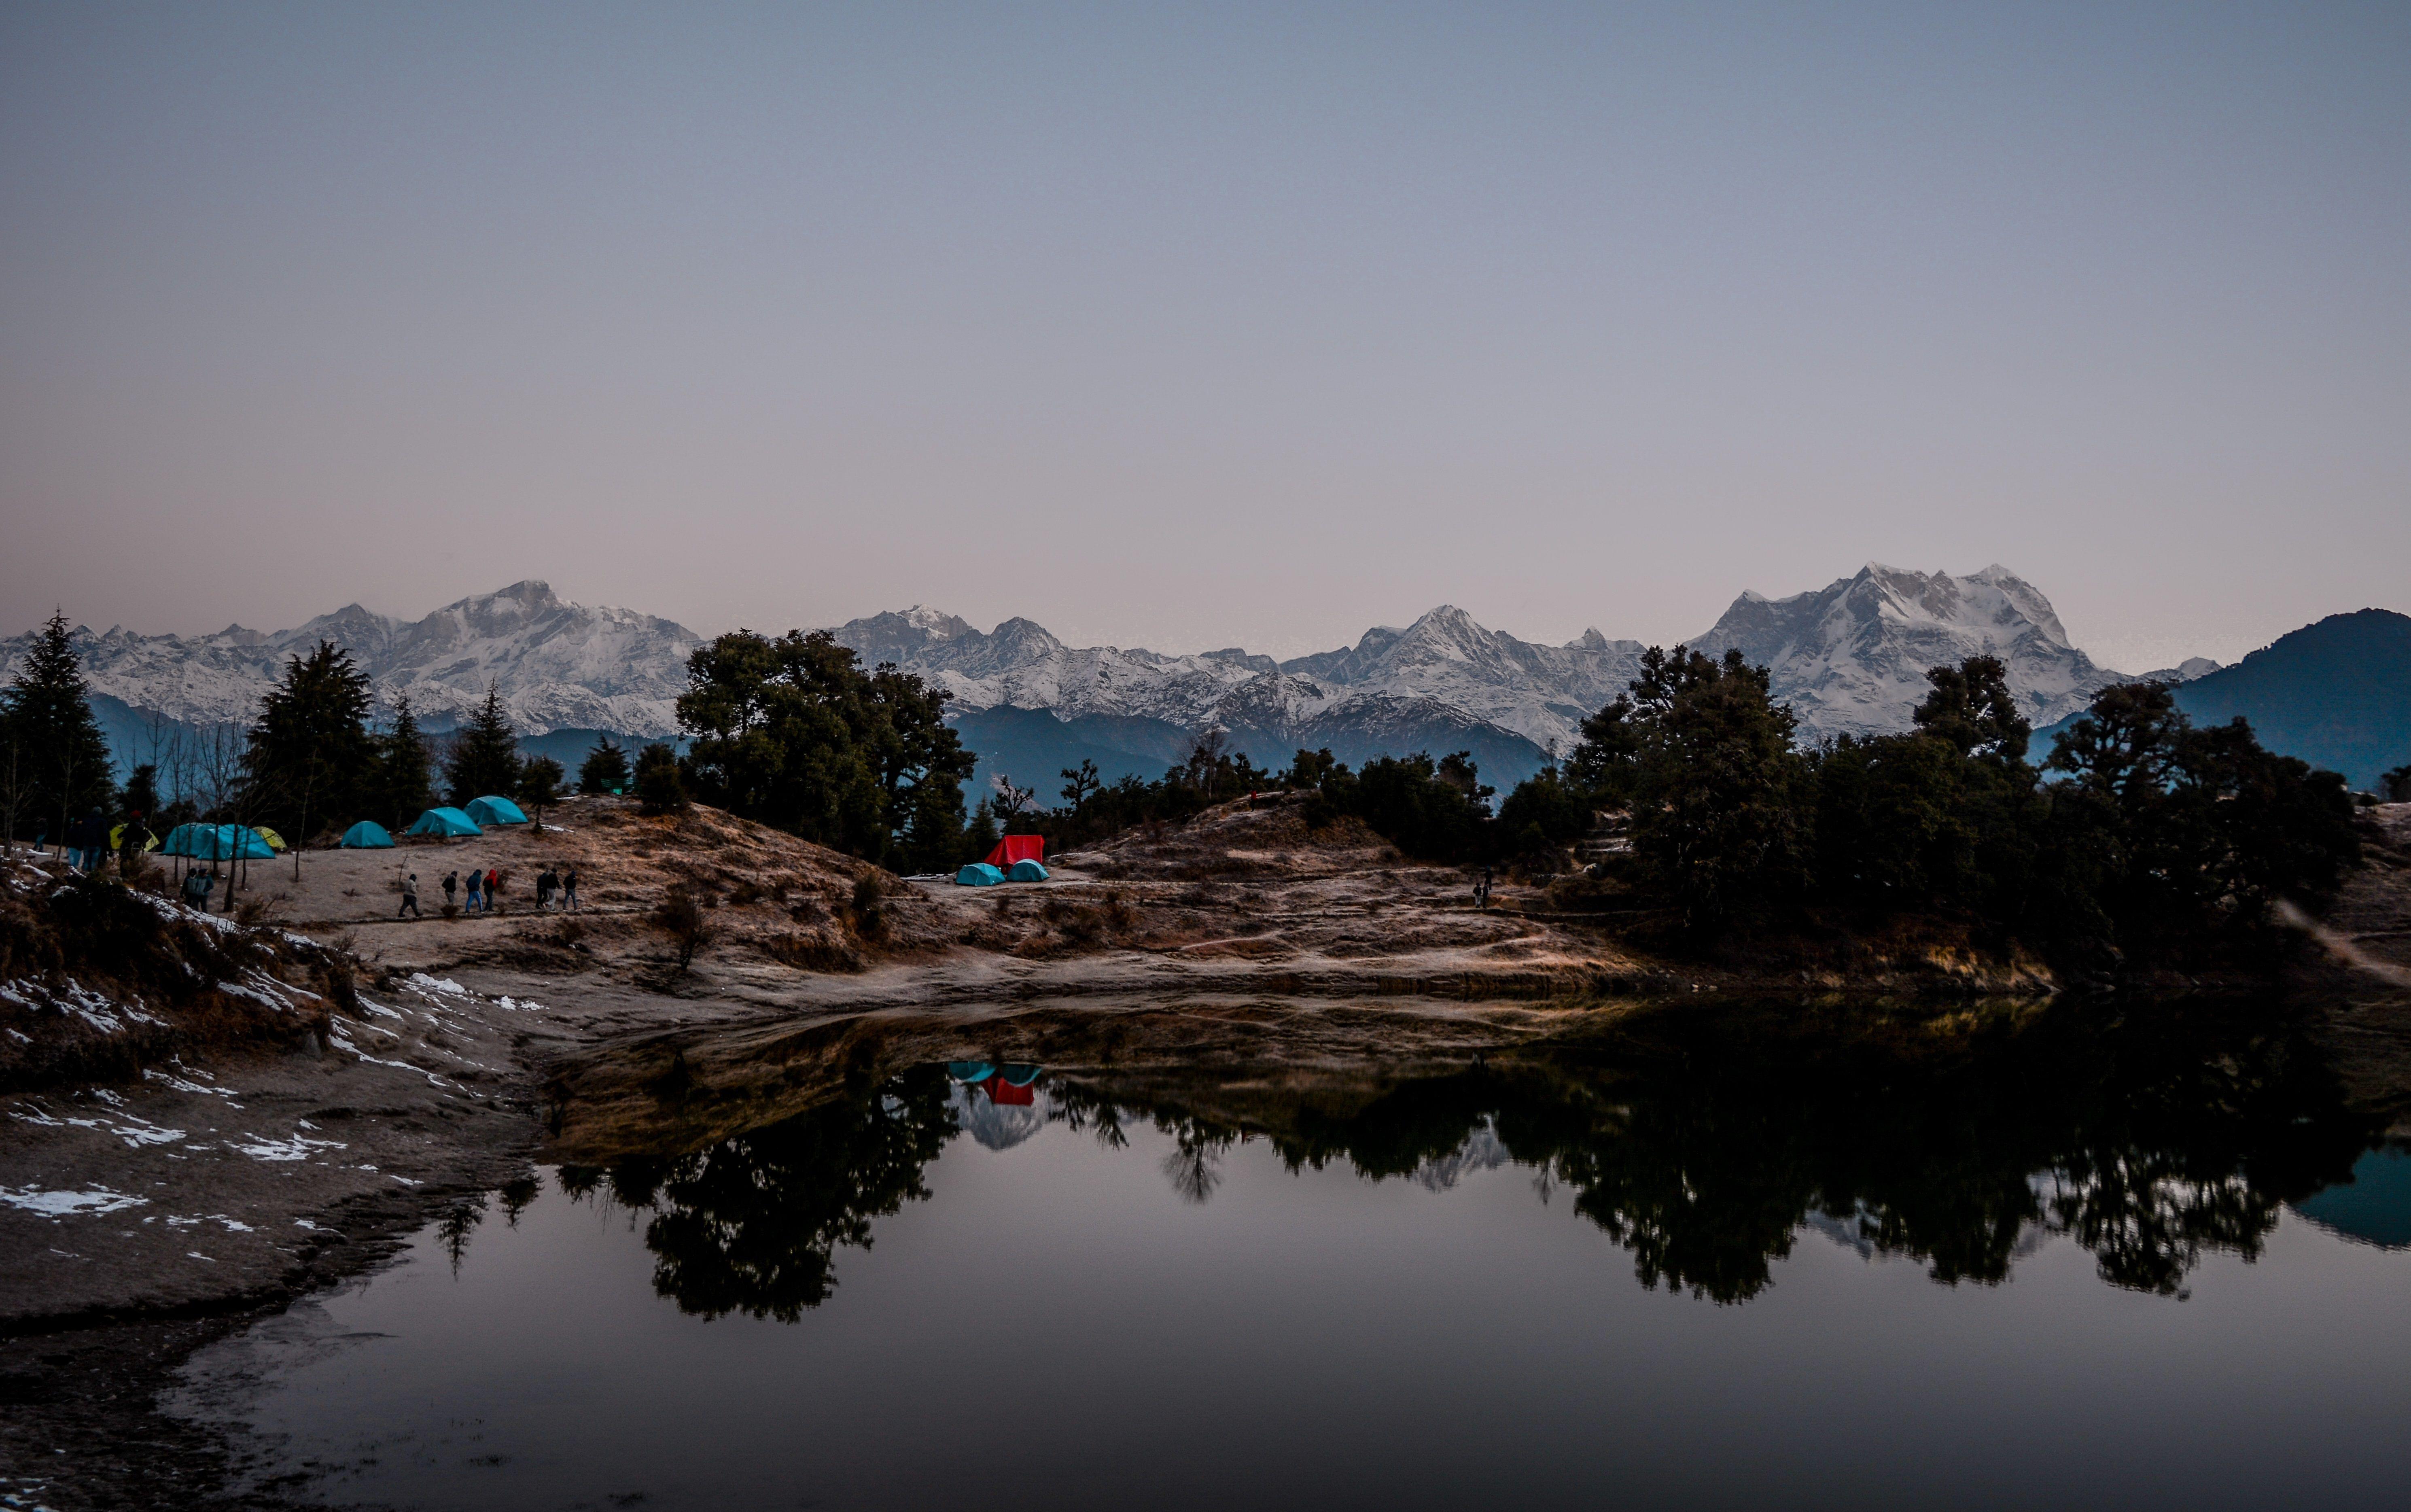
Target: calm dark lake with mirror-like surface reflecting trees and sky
2075 1267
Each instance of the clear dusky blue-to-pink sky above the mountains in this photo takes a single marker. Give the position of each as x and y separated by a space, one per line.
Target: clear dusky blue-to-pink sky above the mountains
1199 327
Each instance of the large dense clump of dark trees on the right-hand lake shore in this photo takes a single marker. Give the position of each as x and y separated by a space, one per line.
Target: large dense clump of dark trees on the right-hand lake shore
2149 836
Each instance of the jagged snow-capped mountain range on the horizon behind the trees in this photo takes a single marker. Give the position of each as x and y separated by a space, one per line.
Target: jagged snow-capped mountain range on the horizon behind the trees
1848 657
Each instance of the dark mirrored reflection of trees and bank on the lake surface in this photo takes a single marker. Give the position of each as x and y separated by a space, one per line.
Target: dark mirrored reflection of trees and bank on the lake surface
1703 1151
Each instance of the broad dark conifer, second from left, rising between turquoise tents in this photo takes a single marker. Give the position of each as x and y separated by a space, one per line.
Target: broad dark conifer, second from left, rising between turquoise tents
310 756
